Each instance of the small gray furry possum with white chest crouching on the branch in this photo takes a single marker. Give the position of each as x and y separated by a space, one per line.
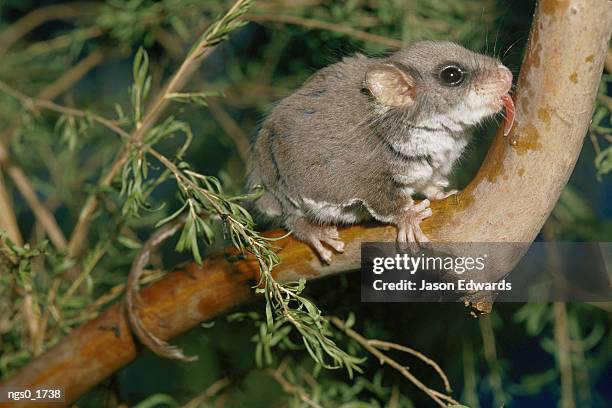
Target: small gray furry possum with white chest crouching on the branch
364 135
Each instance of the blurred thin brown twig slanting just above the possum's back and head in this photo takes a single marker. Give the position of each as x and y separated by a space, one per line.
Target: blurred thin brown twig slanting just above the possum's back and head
324 25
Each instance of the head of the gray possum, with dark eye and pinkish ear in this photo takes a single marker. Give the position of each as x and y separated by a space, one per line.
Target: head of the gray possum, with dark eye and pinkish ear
439 84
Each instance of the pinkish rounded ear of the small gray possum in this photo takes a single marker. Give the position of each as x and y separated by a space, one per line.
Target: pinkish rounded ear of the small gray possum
390 86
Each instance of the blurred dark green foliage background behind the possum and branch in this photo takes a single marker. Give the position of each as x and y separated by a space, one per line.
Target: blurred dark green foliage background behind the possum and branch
506 359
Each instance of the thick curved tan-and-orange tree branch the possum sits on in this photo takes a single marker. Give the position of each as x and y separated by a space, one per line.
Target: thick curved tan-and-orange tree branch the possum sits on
508 201
